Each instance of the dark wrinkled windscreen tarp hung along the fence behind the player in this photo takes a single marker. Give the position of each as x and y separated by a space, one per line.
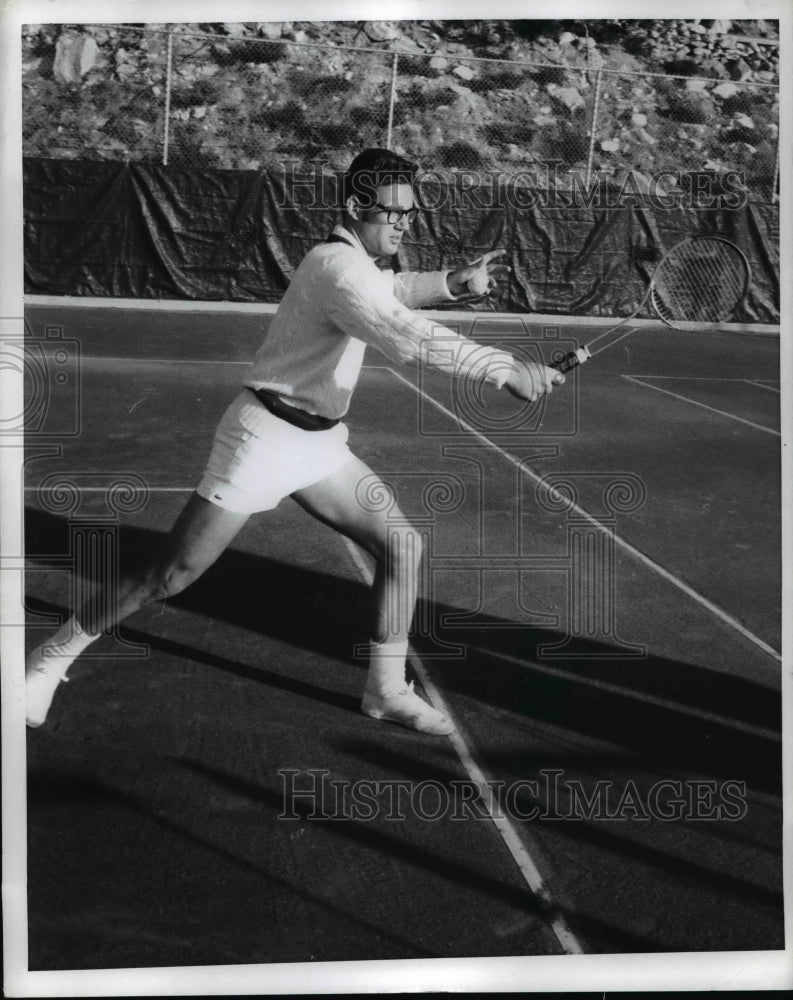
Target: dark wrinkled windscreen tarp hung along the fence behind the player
134 230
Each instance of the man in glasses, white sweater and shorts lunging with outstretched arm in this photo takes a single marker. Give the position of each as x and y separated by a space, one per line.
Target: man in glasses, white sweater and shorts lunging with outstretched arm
283 435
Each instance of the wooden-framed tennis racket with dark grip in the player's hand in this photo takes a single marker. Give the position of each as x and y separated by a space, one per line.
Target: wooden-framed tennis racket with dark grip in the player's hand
701 280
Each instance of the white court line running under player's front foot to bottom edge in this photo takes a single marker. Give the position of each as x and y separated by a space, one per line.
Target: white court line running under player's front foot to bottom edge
505 827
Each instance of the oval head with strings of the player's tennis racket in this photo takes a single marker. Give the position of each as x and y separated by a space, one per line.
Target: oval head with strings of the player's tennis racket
700 281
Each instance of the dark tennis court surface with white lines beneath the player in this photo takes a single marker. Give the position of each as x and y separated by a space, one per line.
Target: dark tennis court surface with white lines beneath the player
600 615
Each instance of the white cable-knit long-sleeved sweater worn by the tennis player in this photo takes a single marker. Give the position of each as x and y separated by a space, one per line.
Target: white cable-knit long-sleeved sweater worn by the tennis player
338 302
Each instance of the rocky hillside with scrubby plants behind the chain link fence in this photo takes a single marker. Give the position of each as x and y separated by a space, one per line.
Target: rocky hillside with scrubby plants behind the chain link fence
249 95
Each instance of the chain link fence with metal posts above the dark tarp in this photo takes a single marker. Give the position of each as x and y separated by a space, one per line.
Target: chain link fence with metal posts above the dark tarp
203 100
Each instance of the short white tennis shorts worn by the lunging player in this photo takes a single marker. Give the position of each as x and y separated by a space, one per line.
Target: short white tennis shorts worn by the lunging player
257 459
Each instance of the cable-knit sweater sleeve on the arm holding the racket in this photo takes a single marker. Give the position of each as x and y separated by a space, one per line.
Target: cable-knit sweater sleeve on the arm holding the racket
366 308
